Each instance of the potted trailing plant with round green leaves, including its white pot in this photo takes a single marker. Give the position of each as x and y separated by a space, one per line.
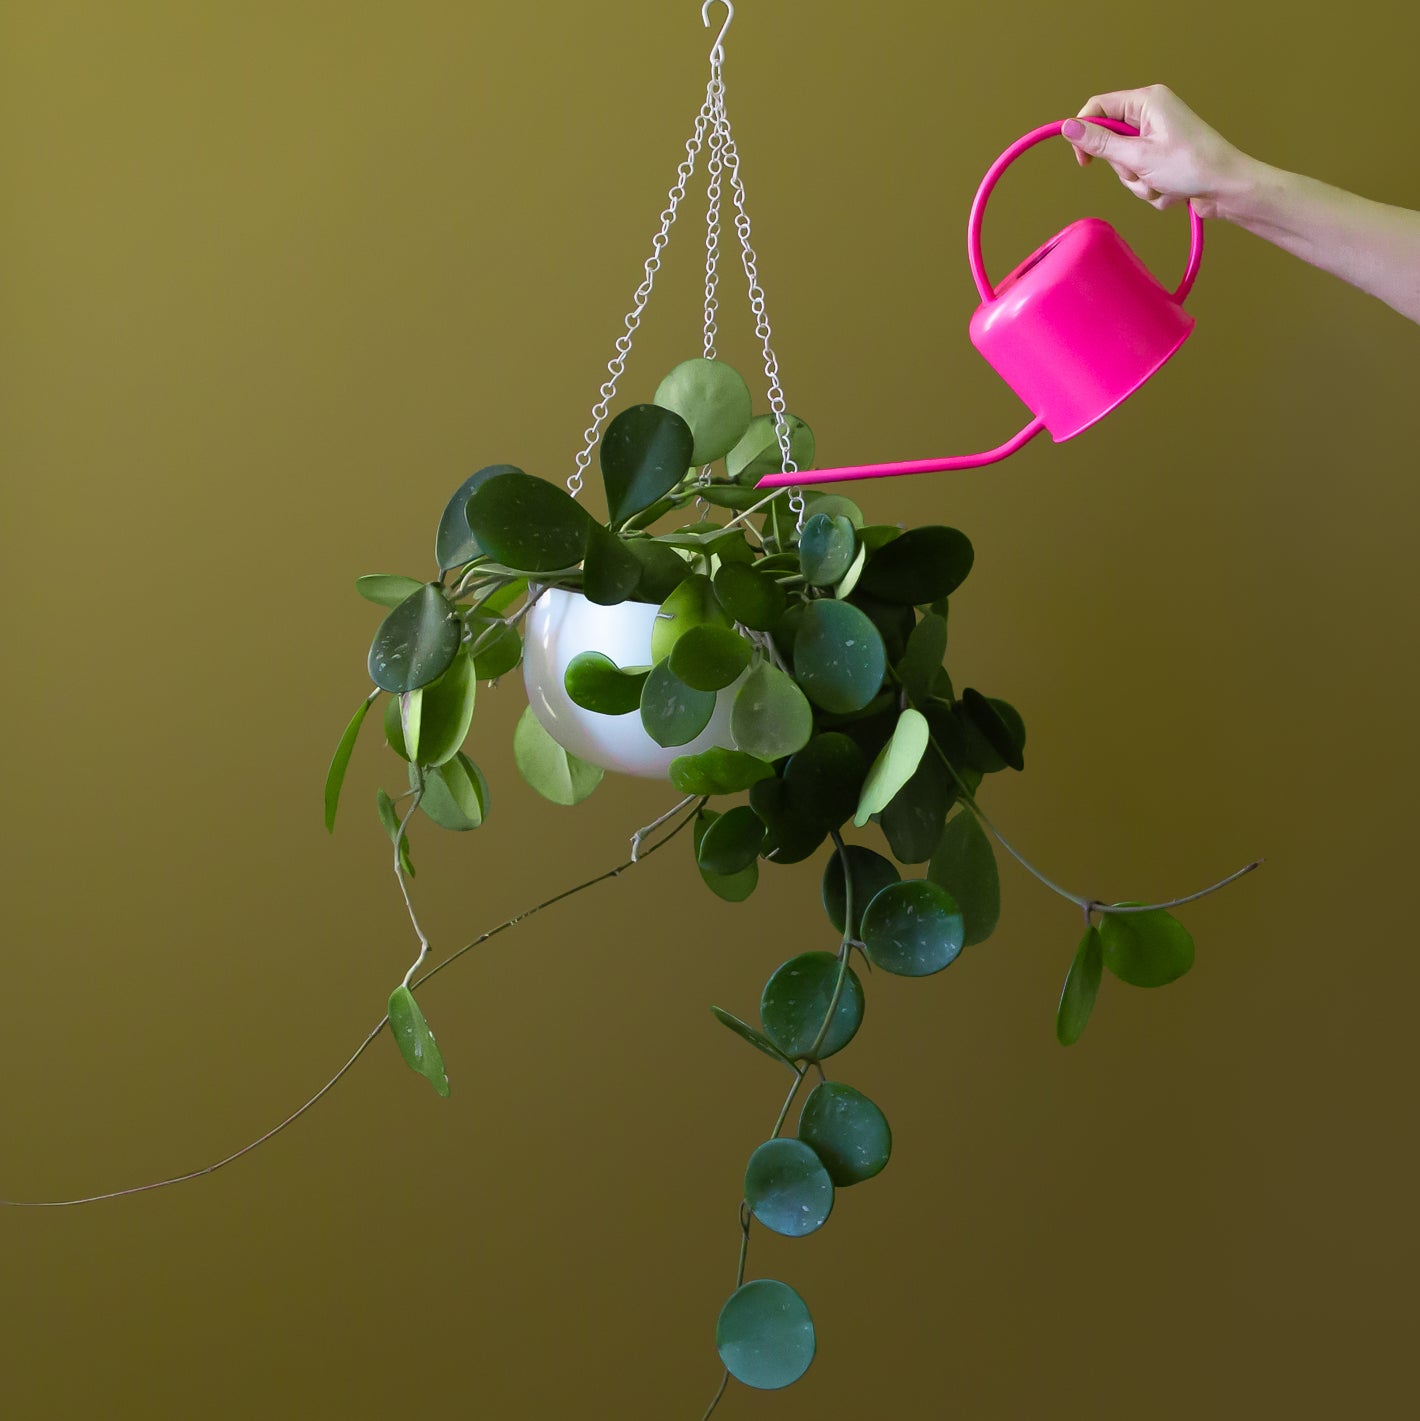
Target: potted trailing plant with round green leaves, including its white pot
782 664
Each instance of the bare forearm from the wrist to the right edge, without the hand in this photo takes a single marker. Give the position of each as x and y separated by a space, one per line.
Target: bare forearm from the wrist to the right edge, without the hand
1371 245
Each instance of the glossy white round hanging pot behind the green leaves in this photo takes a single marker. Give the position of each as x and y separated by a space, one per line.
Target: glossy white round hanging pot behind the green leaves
564 625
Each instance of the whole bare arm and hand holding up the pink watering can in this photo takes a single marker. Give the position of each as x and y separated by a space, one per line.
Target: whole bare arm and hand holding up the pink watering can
1179 158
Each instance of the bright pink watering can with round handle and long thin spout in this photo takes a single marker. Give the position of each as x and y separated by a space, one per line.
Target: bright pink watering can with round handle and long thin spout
1074 330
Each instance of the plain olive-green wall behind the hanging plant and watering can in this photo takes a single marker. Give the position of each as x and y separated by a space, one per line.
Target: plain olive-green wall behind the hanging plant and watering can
276 278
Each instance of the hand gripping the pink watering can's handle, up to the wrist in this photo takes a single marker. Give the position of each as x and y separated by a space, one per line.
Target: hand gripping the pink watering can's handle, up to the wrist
1176 157
